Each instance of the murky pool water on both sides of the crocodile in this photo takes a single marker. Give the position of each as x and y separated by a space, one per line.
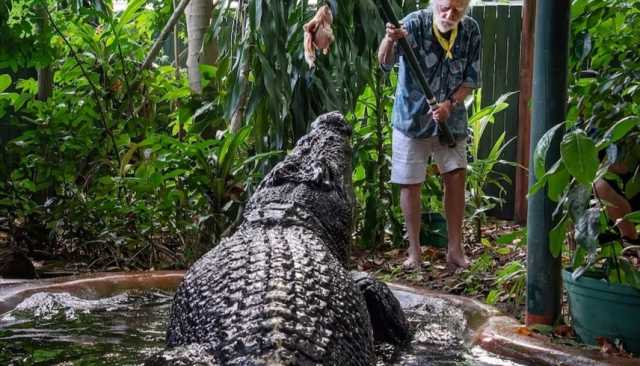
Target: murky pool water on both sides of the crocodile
60 329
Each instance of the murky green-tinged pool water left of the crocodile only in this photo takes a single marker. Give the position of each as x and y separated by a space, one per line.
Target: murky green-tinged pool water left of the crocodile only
59 329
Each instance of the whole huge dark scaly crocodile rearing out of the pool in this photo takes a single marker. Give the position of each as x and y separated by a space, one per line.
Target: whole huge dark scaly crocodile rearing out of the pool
277 291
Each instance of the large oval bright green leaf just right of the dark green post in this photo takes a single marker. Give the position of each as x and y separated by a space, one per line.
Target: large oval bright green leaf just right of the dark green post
579 155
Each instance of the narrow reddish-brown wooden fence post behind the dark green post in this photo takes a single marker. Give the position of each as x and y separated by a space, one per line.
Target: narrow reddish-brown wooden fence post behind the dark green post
524 110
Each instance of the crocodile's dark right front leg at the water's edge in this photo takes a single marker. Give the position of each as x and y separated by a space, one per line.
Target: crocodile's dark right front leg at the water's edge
387 317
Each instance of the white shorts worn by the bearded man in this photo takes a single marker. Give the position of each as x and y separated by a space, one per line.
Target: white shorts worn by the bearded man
409 157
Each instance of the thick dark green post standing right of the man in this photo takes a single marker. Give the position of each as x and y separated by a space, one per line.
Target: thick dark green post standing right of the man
550 68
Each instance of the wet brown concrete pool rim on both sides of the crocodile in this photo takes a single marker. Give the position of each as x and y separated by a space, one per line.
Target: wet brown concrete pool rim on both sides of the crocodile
489 329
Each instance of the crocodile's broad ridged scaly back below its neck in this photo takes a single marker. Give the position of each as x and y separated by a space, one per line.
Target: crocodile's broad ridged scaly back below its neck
279 299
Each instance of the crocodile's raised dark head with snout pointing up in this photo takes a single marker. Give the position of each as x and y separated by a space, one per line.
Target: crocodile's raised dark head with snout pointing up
312 186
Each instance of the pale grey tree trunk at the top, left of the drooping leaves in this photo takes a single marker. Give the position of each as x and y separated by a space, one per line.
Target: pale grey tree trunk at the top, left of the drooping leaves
198 21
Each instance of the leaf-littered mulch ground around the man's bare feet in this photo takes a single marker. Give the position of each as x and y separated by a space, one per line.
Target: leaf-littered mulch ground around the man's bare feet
487 254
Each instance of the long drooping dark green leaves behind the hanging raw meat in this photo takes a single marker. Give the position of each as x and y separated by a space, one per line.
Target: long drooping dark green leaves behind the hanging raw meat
261 48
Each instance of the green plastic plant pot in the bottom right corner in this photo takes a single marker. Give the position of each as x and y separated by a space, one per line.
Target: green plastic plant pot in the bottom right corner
600 309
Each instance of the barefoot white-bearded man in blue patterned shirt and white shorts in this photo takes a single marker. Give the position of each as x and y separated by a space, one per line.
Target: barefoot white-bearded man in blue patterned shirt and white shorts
447 45
